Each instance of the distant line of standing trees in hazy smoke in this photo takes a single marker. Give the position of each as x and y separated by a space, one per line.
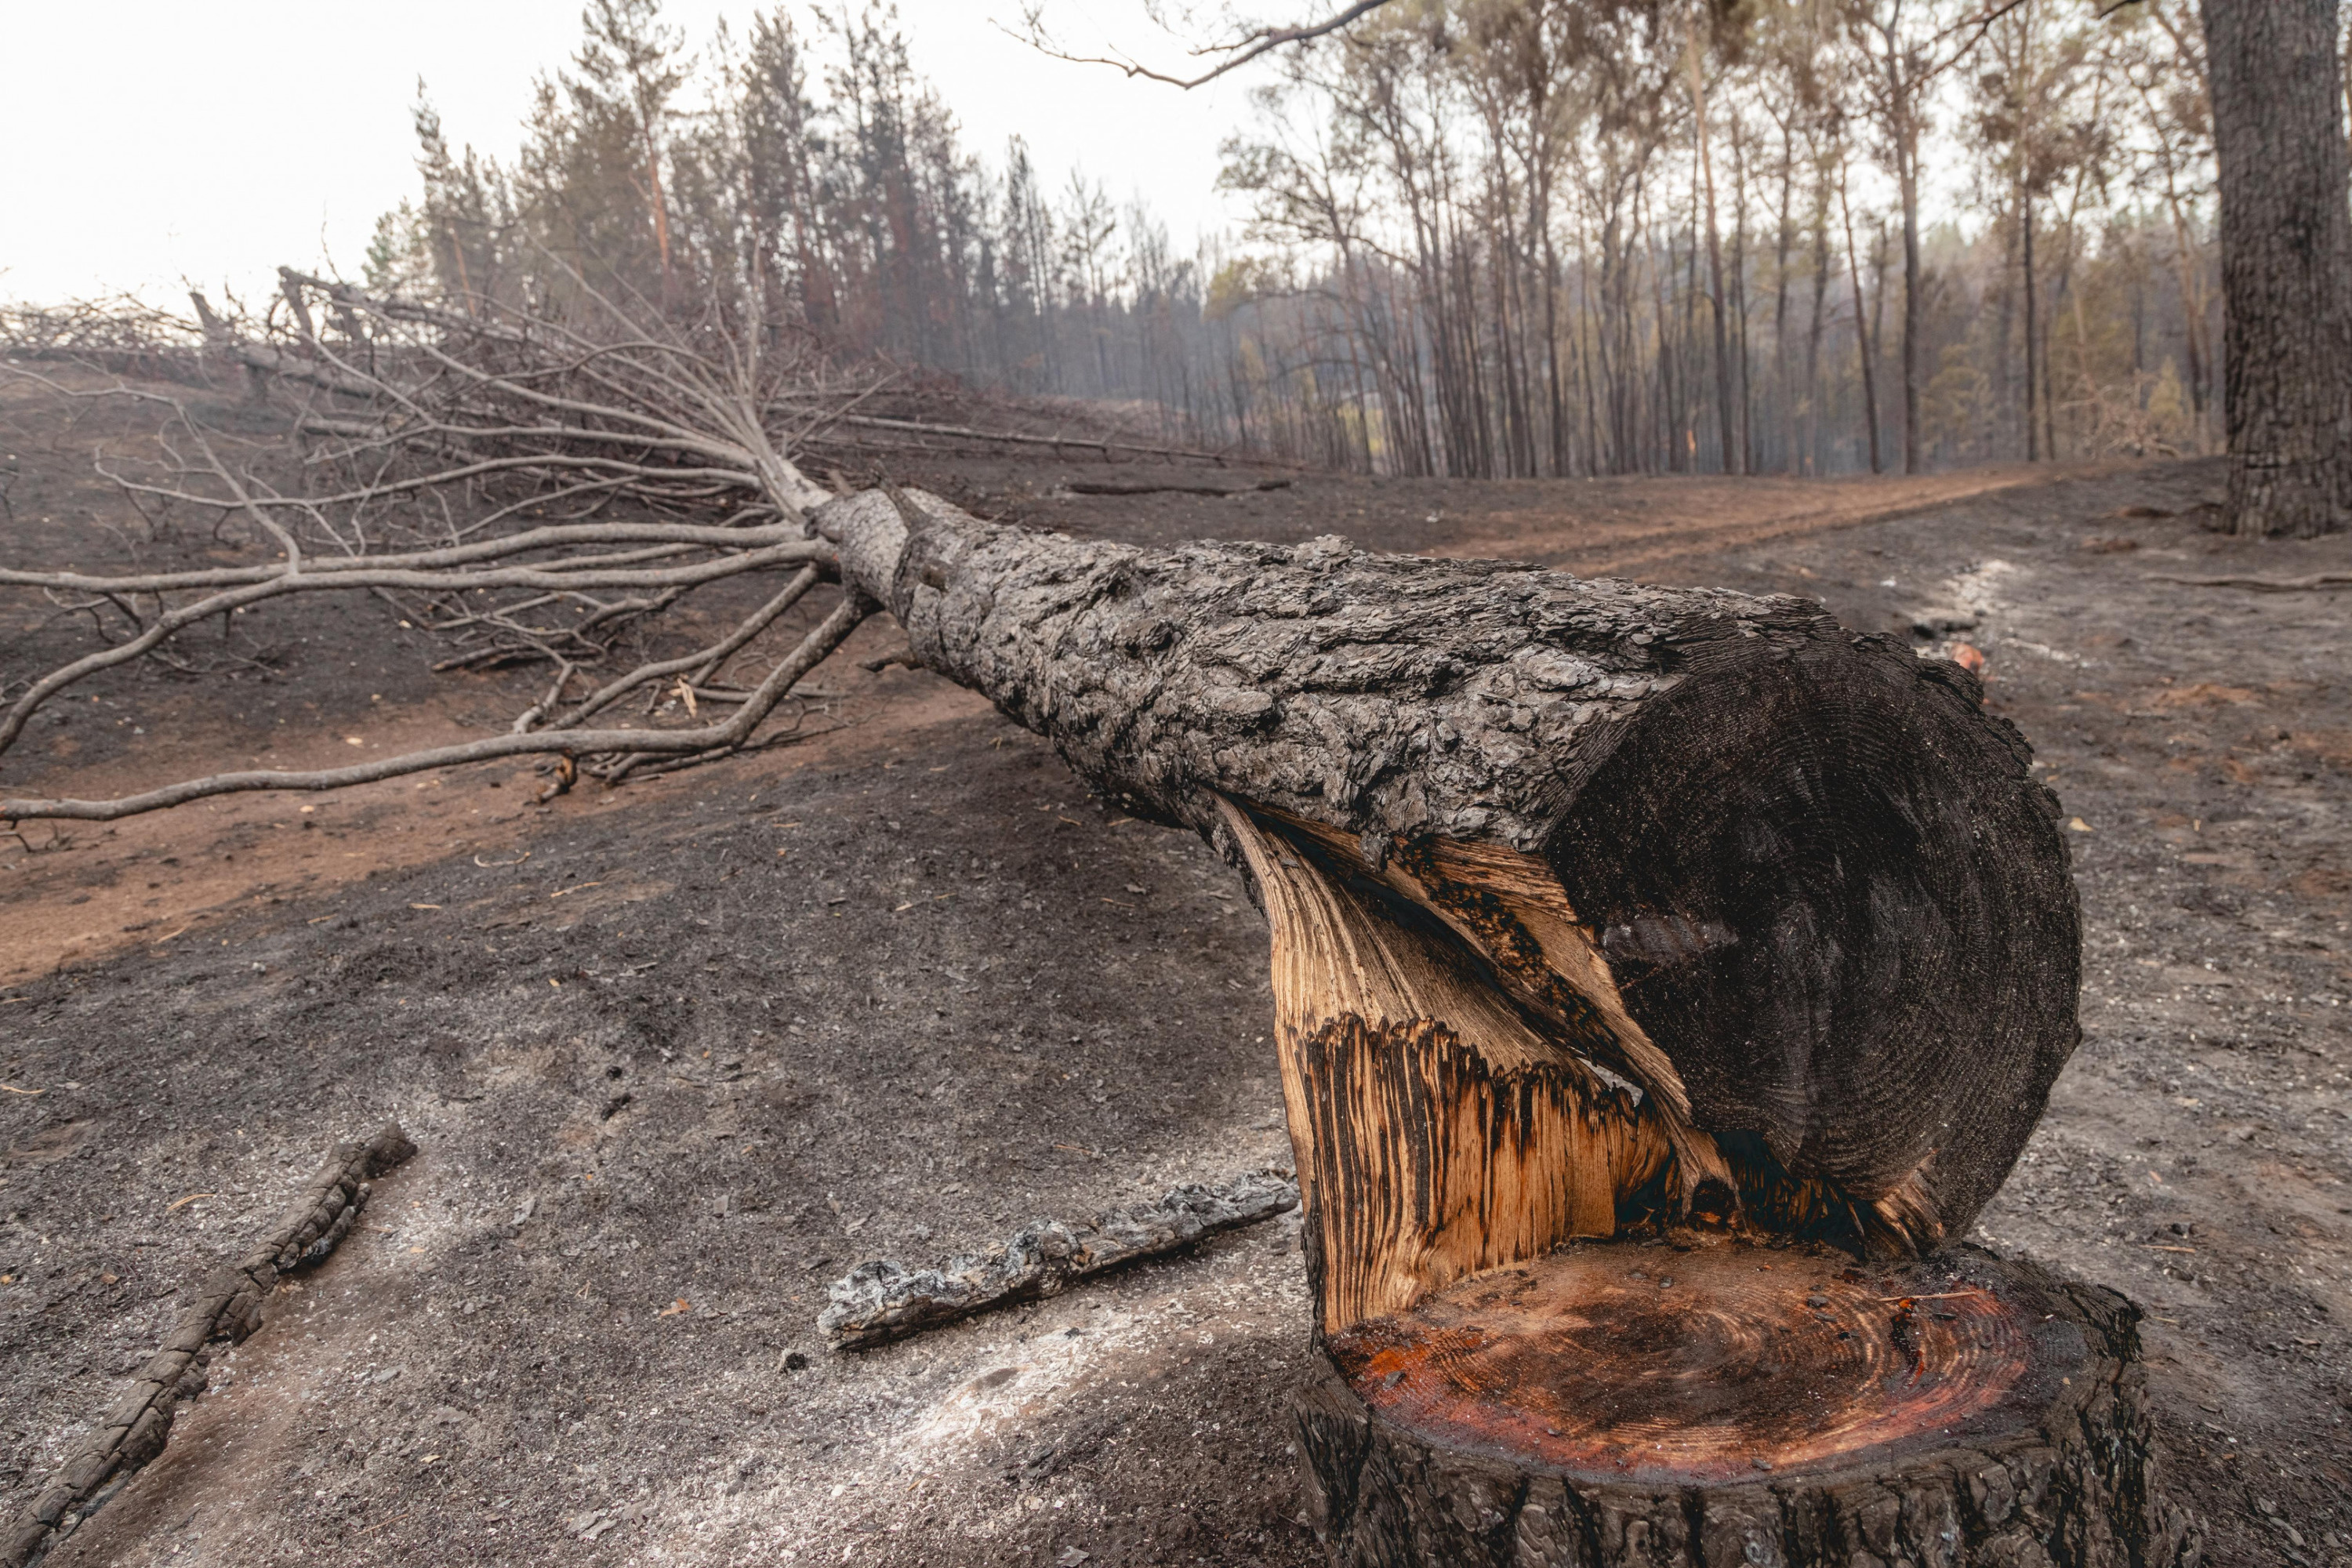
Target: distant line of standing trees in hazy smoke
1488 236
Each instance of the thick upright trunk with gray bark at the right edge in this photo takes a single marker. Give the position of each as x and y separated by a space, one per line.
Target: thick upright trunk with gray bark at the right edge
2285 255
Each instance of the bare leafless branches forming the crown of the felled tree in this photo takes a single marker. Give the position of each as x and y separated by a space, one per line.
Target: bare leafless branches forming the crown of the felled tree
526 490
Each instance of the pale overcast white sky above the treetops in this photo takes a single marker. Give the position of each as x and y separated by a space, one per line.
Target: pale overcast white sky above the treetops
149 142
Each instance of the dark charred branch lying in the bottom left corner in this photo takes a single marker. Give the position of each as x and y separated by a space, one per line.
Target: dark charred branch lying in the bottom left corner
227 1308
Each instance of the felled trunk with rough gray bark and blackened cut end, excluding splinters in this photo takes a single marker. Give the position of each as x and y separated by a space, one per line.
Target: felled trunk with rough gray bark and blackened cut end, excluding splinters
1817 869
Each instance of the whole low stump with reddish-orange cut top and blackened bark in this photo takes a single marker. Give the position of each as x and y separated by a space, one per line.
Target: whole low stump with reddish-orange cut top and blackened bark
1624 1405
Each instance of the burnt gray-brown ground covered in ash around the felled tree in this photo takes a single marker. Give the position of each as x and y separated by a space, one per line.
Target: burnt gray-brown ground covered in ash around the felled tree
681 1054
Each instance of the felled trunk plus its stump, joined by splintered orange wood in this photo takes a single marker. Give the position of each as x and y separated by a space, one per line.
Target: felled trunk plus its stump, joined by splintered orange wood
1608 918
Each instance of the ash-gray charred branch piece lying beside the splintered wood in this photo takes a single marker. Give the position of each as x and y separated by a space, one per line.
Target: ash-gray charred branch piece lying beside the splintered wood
888 1301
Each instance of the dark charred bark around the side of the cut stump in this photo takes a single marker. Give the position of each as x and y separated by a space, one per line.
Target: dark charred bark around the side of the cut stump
2071 1482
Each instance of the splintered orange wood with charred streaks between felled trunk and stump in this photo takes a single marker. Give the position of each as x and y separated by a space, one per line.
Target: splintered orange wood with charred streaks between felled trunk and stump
1436 1130
